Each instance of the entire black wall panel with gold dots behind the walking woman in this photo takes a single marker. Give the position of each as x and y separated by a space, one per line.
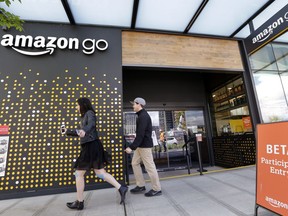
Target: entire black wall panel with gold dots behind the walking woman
38 95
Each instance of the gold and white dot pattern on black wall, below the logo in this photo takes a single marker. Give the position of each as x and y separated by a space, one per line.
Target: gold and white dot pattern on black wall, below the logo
35 105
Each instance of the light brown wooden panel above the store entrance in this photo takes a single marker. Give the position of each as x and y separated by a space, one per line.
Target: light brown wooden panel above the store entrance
163 50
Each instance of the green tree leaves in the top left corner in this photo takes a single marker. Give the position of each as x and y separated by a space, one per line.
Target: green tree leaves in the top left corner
9 20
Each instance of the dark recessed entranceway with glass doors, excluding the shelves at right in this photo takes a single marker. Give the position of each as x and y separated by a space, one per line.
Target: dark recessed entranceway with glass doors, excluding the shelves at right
179 104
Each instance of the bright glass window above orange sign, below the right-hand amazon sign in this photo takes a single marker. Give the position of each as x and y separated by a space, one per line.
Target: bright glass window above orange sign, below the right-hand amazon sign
270 72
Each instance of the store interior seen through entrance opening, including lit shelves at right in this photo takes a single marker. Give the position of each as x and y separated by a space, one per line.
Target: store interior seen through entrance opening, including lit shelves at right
183 103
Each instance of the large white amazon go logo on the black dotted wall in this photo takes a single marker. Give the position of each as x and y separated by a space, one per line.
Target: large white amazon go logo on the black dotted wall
47 45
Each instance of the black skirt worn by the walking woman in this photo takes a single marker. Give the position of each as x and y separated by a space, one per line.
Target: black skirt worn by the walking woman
92 156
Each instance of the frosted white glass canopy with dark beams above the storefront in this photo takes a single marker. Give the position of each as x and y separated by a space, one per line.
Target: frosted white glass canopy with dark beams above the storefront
220 18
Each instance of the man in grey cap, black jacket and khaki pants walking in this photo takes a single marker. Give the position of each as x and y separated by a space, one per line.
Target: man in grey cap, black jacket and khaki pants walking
142 147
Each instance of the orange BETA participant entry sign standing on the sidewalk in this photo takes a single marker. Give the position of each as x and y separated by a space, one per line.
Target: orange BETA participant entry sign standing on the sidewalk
272 167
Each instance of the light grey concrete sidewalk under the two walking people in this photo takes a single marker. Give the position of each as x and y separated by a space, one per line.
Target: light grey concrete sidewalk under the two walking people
224 193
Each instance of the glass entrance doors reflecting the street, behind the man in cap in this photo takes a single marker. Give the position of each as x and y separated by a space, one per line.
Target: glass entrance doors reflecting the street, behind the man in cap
172 133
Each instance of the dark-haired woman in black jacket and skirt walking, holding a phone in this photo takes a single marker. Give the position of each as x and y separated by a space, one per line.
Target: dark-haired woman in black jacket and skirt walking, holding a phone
92 155
